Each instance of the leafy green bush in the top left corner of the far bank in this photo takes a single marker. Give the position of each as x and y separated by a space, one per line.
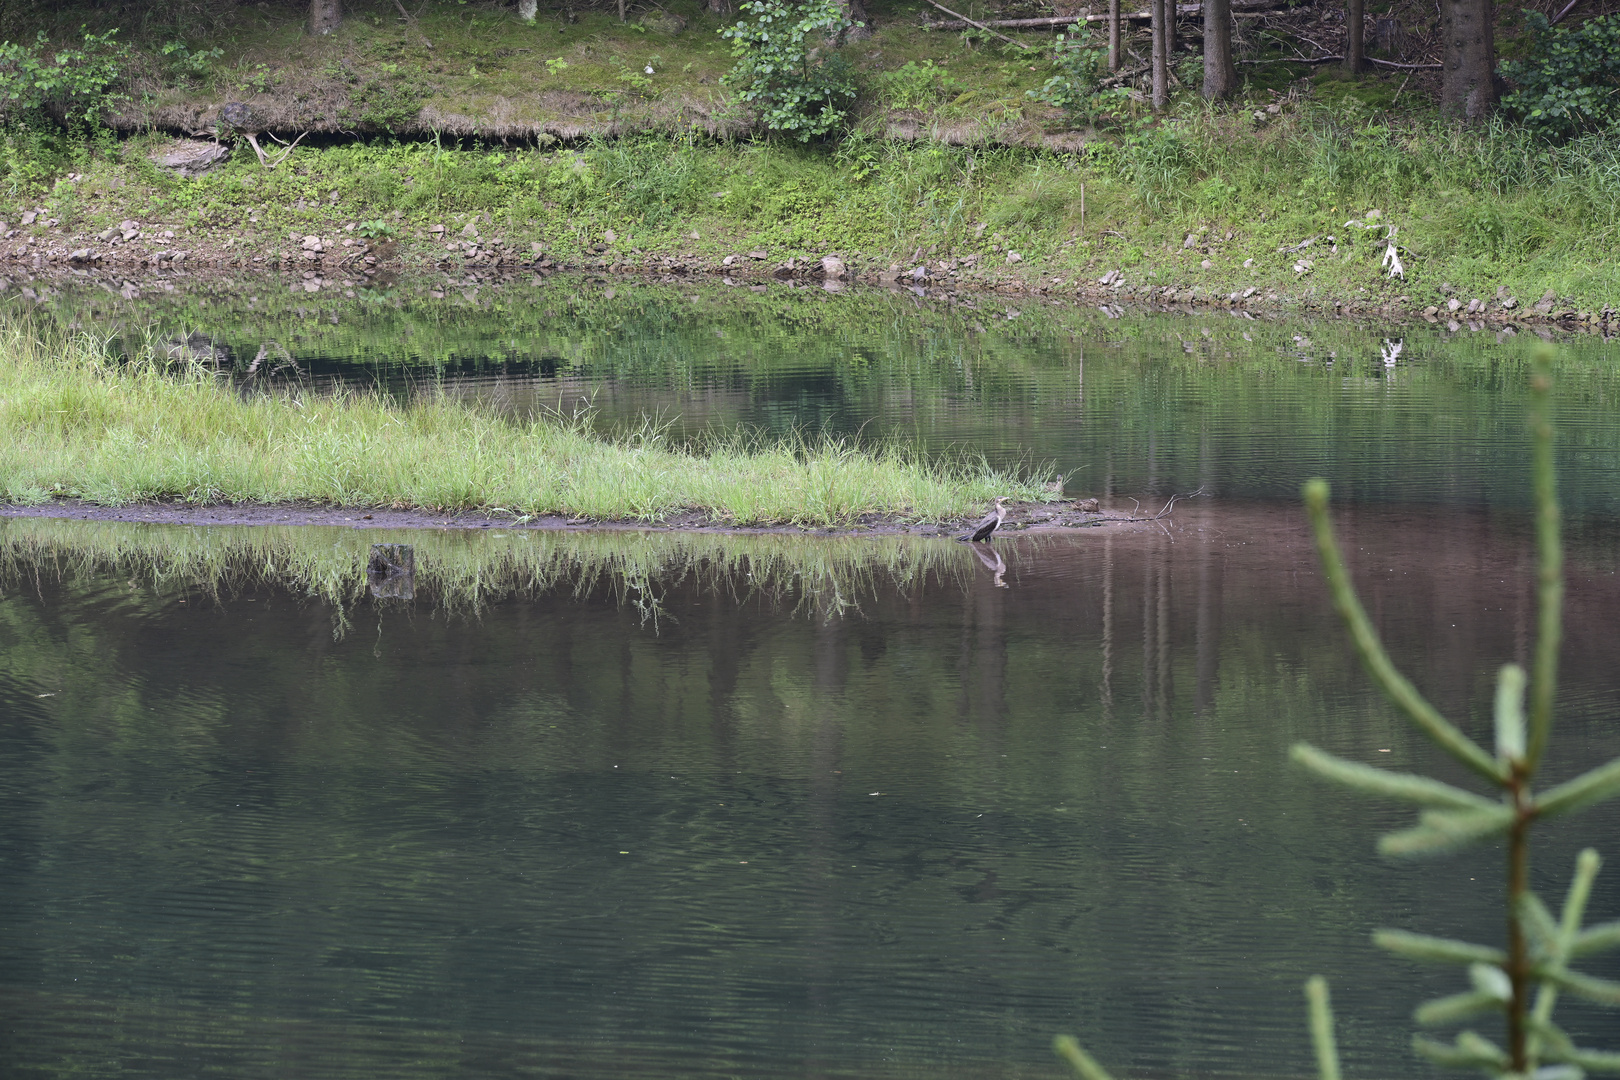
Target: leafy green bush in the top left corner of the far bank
72 85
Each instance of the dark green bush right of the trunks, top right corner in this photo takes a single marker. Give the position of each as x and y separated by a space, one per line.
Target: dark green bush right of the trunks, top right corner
1571 79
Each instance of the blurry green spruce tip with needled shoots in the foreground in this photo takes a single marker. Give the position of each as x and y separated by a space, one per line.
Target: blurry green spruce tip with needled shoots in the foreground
1522 982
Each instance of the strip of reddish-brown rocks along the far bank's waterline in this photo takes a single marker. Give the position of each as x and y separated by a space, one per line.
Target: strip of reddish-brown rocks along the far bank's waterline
140 257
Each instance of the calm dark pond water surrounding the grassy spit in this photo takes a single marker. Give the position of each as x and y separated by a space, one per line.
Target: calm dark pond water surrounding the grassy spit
603 806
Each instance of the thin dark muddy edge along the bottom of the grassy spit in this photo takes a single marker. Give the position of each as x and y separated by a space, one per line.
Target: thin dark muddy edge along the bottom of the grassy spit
1031 517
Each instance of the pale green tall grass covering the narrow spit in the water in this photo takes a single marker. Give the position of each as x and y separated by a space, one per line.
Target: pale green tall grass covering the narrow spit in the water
74 425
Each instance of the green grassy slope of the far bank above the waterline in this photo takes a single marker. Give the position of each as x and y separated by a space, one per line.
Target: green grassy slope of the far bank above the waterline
1206 205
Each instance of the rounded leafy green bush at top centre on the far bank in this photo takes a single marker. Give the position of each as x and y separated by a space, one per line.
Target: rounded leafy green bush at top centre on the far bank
787 69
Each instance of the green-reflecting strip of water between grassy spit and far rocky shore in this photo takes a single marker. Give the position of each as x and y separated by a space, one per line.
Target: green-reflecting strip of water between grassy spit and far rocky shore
1135 406
